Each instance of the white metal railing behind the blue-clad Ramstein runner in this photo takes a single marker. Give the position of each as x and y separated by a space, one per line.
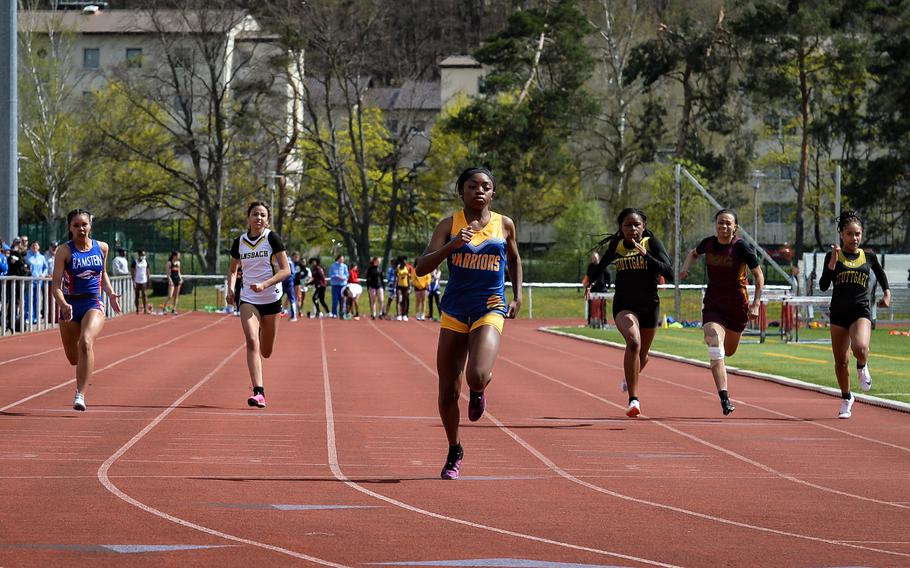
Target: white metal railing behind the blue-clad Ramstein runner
27 304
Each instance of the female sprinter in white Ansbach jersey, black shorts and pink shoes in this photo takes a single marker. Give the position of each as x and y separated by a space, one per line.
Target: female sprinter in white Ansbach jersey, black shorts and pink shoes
262 257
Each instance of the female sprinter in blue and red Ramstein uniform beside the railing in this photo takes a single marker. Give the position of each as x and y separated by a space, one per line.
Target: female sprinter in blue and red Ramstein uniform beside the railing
79 278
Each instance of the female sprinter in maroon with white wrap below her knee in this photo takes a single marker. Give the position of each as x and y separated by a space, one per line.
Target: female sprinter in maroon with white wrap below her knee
726 309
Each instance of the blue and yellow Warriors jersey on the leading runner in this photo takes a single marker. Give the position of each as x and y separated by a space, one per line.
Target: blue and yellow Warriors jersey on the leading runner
476 270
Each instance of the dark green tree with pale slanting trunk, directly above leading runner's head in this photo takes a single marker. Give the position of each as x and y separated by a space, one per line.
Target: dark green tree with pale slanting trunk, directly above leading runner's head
533 100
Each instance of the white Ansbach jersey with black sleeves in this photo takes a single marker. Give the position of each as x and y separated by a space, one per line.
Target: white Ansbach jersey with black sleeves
257 259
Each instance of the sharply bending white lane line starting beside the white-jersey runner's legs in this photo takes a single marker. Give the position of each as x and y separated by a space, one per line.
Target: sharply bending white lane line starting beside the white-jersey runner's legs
109 485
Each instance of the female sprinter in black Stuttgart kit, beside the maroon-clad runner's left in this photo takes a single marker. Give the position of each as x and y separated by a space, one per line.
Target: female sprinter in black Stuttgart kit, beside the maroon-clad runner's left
640 260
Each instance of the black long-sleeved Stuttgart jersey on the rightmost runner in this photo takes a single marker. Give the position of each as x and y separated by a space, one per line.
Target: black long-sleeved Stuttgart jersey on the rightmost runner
851 279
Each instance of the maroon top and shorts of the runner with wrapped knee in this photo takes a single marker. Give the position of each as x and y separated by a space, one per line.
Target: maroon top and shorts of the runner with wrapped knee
726 294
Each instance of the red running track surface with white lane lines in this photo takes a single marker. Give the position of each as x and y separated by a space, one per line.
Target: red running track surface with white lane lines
169 467
